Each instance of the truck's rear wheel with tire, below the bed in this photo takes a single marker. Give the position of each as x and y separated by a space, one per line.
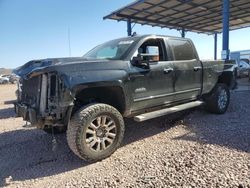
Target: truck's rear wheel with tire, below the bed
219 100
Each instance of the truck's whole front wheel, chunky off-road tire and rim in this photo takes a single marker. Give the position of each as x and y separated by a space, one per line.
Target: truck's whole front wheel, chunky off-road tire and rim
95 132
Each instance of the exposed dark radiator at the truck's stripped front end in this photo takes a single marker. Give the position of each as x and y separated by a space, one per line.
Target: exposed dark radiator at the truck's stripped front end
29 91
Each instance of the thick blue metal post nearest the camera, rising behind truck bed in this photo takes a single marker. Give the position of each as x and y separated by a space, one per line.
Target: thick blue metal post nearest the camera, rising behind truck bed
225 47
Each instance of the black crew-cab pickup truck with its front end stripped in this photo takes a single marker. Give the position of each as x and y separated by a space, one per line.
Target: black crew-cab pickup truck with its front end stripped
143 77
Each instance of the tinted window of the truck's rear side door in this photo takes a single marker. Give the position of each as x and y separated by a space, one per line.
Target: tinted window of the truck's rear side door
182 49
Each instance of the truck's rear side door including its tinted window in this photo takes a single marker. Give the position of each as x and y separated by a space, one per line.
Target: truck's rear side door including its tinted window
187 70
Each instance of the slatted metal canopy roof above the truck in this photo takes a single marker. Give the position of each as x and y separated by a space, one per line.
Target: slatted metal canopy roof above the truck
201 16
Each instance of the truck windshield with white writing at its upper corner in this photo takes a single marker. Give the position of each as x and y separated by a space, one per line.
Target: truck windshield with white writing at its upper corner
112 50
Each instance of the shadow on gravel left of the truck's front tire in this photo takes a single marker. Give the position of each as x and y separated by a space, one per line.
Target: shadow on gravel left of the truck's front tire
27 154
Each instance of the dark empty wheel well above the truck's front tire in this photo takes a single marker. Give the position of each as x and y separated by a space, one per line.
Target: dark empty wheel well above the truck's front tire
113 96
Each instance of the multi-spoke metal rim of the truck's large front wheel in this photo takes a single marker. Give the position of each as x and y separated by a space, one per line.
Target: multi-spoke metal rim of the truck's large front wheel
101 133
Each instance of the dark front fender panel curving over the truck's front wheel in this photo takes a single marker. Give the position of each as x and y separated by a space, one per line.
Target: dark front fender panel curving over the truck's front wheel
78 81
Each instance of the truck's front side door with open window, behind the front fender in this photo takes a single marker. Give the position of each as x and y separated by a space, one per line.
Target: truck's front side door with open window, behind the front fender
152 86
